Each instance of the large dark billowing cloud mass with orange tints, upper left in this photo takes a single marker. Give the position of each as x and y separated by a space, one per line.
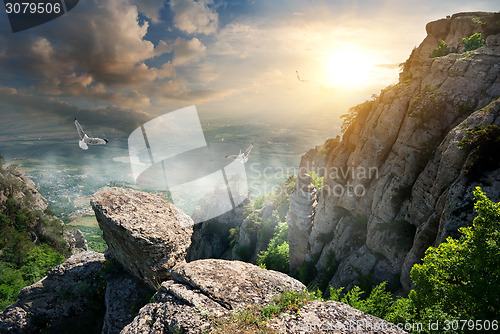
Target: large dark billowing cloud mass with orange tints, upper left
109 54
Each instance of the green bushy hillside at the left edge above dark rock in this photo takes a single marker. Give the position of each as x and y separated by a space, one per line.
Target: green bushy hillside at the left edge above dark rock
22 260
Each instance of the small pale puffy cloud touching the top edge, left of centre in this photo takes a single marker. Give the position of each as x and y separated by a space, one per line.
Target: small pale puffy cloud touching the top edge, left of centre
195 16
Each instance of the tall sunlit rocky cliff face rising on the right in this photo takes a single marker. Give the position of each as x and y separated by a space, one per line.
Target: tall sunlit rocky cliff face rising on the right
397 182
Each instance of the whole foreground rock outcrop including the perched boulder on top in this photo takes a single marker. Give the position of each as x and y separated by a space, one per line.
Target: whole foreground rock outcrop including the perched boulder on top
144 285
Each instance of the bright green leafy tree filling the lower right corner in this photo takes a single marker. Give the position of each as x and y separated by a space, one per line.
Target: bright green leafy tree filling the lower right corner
461 277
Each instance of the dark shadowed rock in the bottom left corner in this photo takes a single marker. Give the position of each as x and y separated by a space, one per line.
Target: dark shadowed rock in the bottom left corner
70 295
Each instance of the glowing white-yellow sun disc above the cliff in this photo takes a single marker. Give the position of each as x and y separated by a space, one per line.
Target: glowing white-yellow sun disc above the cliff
347 68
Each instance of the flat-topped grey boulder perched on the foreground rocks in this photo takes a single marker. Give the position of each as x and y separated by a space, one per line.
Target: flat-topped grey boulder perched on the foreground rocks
145 233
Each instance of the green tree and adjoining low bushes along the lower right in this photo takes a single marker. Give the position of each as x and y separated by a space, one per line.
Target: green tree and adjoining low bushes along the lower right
459 279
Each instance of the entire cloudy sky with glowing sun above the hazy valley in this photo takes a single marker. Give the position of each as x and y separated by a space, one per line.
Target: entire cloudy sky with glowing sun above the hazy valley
116 64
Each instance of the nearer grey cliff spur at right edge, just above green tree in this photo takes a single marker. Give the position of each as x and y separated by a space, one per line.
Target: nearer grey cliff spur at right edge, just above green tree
446 185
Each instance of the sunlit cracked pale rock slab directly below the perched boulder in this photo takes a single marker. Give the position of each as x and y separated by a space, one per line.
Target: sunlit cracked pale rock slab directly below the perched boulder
205 288
